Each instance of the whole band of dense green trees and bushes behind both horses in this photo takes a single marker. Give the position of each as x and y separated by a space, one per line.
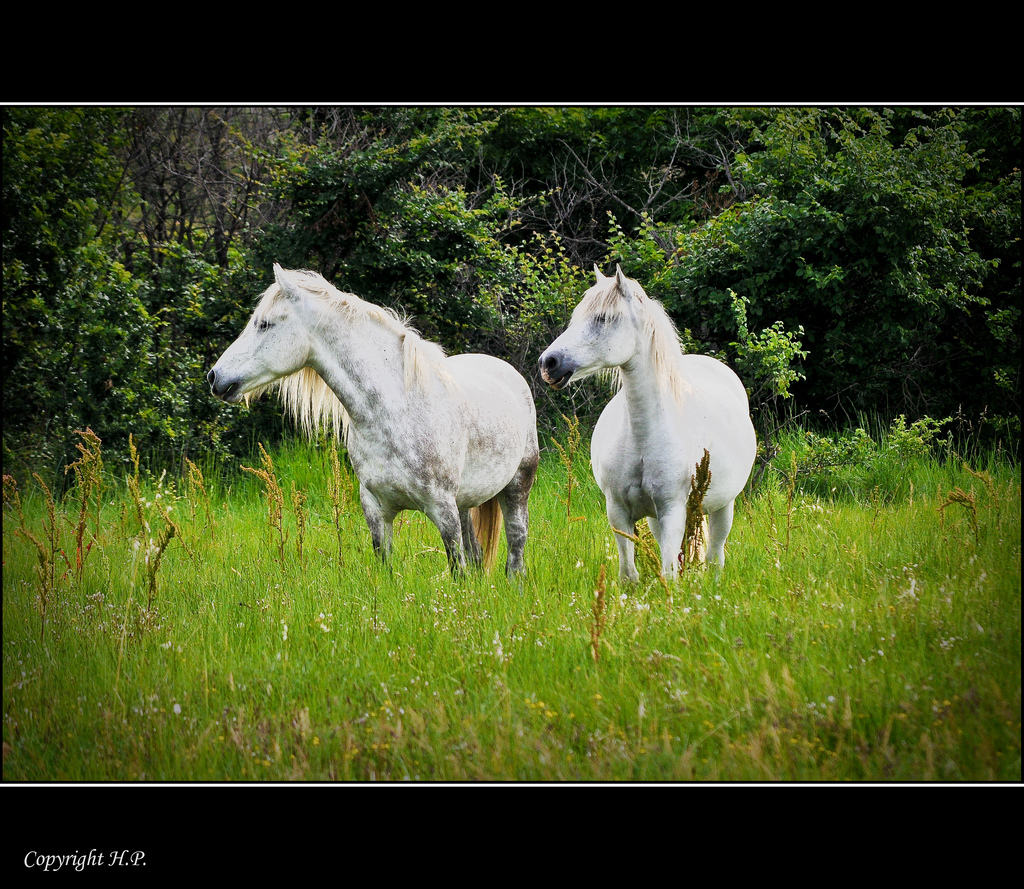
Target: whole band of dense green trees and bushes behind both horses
846 262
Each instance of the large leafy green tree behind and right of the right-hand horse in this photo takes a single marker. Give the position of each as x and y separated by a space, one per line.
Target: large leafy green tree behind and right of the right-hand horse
859 229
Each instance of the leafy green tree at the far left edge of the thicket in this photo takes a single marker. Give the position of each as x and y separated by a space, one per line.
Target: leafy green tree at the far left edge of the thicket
75 331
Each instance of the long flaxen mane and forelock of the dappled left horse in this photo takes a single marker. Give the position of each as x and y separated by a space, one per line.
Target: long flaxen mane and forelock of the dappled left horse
307 398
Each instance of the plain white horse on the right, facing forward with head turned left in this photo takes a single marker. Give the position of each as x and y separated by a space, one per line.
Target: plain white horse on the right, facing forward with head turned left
652 436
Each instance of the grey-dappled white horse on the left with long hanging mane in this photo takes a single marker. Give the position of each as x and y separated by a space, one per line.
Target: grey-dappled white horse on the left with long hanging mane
453 438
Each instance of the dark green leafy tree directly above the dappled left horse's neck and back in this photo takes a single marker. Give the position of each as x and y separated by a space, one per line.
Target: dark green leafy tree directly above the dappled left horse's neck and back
382 206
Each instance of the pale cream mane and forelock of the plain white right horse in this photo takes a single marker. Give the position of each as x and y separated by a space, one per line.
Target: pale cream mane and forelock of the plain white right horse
666 346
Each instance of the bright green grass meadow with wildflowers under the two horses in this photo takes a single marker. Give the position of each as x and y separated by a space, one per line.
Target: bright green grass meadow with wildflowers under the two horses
236 626
